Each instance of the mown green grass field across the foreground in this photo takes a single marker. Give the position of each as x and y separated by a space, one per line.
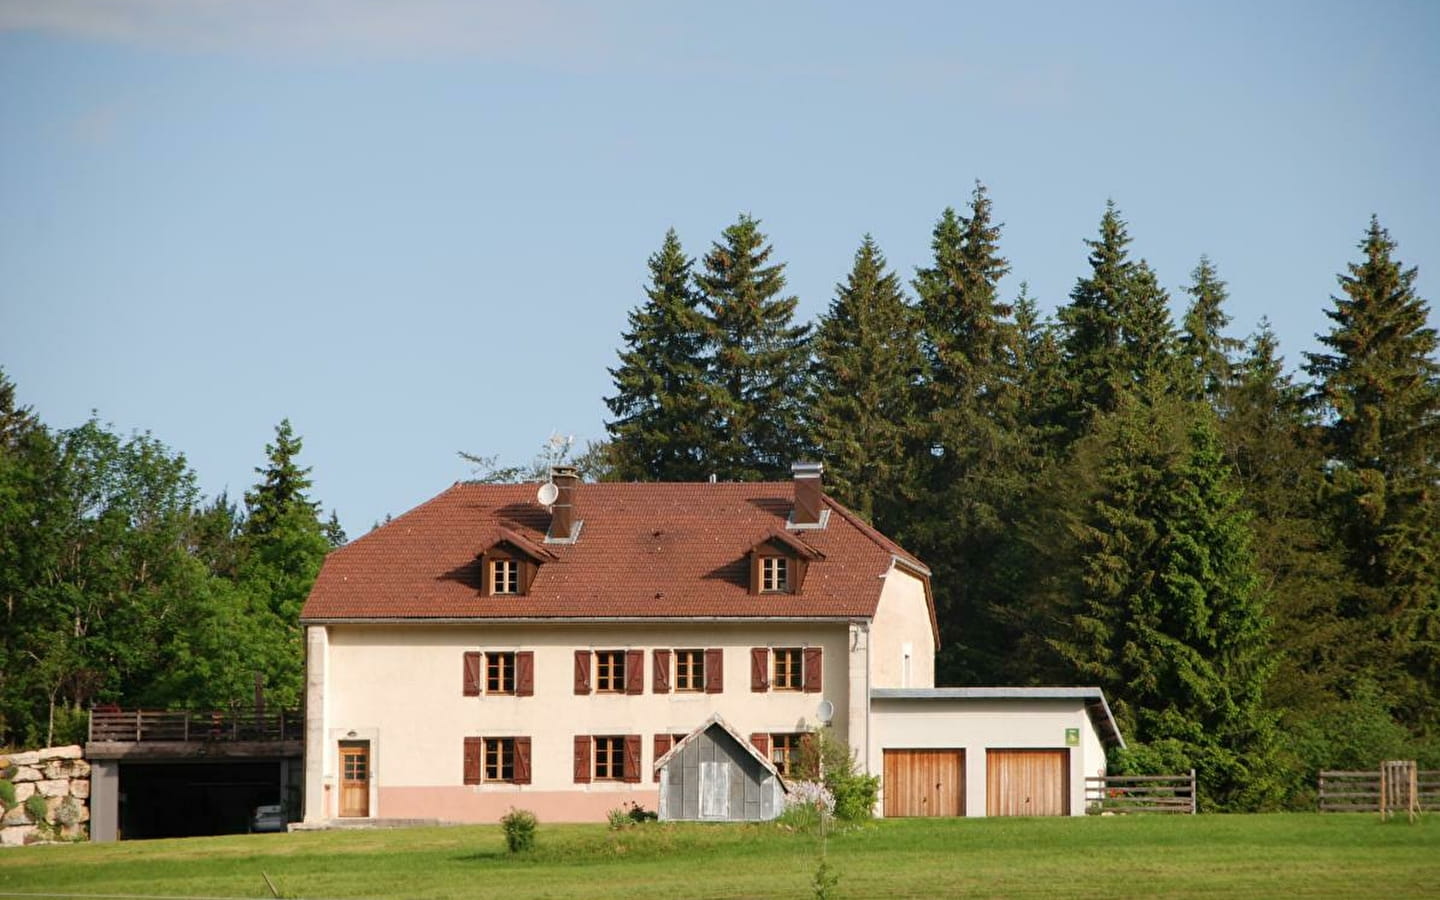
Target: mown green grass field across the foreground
1216 856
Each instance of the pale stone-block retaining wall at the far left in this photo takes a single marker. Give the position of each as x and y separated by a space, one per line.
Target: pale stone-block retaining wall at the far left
60 777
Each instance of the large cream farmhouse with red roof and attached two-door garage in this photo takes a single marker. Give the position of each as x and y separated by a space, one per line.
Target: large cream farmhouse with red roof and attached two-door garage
508 647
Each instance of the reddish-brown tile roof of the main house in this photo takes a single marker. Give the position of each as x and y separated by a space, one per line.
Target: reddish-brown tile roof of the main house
646 551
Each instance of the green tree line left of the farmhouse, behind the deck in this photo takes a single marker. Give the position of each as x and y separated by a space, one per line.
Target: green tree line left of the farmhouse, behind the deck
119 584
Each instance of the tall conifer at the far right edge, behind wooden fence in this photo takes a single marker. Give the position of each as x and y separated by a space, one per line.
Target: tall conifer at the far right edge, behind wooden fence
1379 385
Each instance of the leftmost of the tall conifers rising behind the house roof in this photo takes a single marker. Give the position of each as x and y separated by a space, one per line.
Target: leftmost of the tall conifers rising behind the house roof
660 428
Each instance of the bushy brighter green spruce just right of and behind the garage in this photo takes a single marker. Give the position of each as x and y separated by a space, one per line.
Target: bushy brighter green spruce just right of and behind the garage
1166 608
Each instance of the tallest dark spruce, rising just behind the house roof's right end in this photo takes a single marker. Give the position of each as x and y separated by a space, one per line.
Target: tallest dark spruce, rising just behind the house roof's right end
978 463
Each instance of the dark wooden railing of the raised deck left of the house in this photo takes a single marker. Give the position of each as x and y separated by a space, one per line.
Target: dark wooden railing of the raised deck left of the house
194 725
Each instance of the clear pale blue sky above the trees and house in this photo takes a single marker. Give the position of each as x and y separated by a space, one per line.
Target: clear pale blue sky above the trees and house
417 228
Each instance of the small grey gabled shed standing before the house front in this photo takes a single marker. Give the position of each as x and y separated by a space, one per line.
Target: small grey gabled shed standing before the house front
714 775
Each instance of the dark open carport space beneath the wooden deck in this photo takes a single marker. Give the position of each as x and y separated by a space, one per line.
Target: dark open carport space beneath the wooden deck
181 800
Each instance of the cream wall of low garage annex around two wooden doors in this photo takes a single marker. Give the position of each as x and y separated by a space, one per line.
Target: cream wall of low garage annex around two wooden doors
980 725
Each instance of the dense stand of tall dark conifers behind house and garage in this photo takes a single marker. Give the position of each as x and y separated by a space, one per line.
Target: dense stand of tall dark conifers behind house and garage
1245 559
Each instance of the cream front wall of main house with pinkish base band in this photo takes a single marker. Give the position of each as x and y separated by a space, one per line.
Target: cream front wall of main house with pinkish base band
401 689
